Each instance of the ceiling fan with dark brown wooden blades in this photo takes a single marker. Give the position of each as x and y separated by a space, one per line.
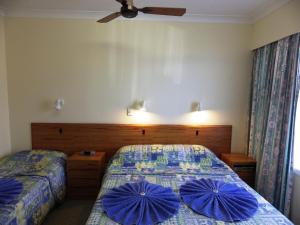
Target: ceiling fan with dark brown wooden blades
128 10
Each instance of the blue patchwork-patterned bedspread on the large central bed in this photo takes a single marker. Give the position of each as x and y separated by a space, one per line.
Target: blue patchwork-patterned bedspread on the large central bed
172 166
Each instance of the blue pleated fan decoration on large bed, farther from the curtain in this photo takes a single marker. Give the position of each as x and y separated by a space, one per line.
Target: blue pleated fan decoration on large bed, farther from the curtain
140 203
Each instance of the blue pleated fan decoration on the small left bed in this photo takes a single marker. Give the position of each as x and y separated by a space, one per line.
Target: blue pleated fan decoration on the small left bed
9 190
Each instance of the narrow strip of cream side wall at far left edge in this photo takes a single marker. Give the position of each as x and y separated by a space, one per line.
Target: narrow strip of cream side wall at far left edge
4 112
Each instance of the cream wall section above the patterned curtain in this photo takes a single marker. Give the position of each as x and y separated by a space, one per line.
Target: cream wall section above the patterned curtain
279 24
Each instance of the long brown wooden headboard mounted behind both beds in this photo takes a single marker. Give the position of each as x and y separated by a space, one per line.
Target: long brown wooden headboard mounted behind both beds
72 137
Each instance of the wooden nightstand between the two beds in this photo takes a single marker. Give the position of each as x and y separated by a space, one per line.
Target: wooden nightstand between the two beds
84 175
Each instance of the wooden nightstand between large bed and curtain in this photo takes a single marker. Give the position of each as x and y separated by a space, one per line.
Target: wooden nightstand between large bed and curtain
243 165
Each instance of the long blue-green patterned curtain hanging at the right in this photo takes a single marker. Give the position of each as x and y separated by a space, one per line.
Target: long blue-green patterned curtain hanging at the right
274 101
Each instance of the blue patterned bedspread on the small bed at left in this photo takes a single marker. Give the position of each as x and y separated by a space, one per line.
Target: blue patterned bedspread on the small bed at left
42 174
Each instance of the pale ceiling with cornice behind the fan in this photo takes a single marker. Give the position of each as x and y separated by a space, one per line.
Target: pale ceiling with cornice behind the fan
240 11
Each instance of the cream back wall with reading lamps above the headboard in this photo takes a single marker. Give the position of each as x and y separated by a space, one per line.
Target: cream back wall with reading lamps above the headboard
101 69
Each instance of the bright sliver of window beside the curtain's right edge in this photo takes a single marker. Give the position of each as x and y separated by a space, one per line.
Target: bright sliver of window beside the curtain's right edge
297 139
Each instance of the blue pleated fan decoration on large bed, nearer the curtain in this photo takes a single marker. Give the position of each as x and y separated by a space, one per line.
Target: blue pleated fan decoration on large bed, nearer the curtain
219 200
